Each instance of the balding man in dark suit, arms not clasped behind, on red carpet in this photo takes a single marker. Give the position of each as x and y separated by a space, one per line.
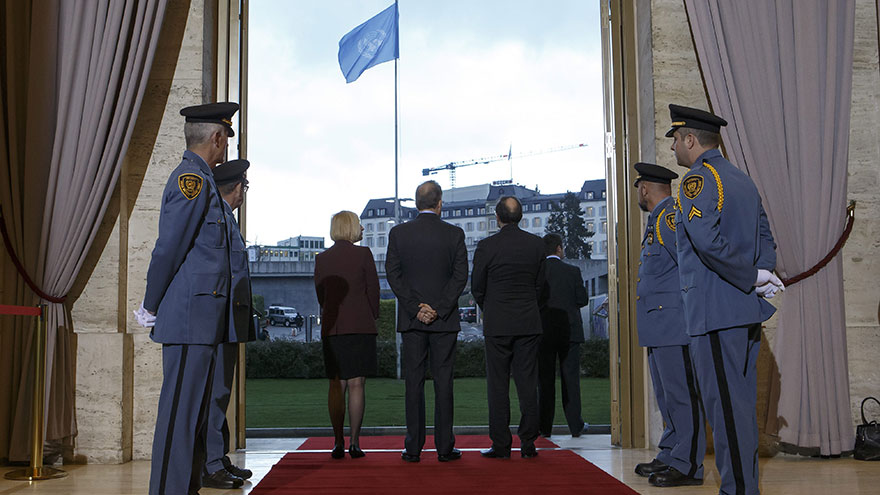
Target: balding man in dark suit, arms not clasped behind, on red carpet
506 283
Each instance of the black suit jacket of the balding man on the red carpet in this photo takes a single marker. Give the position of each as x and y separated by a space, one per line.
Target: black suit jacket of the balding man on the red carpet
507 282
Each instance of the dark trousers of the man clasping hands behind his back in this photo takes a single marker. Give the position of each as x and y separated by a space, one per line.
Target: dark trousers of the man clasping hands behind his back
417 347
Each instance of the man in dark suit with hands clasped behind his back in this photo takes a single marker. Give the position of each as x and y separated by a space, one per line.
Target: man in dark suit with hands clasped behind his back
426 267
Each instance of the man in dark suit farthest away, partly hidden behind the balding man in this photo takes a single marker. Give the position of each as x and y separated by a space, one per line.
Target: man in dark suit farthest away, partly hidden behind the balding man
563 335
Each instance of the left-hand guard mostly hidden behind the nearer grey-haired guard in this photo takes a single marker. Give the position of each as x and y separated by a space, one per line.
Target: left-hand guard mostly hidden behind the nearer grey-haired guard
231 180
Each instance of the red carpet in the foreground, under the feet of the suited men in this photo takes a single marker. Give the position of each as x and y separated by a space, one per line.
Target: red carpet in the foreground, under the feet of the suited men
552 472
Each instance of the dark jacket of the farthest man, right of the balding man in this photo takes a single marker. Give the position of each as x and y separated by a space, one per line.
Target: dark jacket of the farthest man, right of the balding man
565 294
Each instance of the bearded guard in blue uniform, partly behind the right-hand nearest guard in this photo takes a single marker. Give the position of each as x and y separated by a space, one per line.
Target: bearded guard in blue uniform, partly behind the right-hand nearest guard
661 325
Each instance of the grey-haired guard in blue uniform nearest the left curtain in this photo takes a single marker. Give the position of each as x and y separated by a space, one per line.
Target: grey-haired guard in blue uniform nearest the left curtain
188 290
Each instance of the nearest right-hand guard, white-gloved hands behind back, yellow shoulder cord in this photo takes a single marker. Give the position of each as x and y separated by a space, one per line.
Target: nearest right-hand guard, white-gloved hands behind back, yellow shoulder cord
726 255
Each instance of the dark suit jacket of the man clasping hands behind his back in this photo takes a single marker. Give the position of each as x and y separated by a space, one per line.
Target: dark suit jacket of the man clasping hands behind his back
426 262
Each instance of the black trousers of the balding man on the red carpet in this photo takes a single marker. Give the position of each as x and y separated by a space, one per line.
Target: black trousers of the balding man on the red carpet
517 355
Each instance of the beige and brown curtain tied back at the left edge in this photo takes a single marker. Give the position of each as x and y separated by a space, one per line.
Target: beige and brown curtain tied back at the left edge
74 80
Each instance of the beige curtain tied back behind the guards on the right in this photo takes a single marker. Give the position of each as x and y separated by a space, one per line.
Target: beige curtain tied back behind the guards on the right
781 73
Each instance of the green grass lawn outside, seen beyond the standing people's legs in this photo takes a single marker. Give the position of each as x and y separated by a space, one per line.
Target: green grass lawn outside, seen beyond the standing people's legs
291 403
